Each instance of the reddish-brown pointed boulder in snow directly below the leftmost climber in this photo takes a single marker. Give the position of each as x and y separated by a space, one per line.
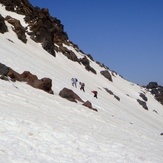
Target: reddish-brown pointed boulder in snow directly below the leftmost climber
69 95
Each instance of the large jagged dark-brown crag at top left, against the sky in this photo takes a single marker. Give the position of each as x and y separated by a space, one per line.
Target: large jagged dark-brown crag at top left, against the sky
43 28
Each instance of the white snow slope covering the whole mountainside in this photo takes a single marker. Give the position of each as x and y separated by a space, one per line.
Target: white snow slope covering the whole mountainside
37 127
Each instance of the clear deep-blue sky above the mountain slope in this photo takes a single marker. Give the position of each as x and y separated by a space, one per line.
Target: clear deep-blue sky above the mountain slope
125 35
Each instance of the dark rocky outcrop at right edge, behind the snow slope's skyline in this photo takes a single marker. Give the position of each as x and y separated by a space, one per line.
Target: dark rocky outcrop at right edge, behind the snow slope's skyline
156 90
